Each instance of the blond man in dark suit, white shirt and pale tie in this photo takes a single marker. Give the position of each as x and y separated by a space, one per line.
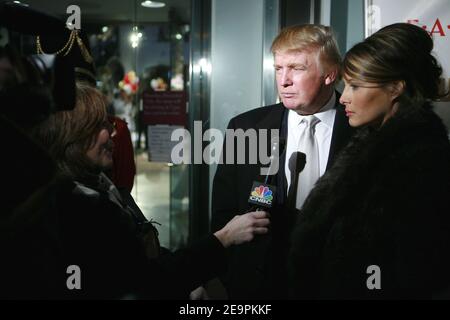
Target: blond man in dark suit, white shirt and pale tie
311 121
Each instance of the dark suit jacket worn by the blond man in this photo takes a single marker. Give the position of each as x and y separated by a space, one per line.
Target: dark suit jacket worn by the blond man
257 269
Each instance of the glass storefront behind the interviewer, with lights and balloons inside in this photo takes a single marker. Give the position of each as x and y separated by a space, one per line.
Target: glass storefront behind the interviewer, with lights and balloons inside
141 58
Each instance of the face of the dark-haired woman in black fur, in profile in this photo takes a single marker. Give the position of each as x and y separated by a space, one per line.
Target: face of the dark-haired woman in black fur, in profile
367 103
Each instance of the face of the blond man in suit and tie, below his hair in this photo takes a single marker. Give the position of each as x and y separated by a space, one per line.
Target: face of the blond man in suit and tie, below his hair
300 81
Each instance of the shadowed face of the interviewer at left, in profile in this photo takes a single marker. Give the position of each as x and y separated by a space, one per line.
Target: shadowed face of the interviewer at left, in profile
100 153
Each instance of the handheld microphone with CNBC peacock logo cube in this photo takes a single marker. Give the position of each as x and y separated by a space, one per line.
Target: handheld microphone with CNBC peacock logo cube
263 195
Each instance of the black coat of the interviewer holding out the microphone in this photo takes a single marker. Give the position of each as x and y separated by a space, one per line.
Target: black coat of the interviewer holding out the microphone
77 226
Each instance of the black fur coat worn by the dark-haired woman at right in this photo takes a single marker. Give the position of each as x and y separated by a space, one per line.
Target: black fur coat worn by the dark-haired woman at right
385 202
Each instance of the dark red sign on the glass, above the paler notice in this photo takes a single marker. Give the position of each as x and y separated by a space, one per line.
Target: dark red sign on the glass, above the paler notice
165 107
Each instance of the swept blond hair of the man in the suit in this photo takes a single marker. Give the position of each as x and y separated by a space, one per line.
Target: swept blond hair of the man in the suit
309 37
